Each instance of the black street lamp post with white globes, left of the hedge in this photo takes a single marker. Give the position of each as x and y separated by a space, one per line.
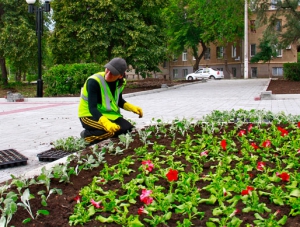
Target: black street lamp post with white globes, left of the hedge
39 32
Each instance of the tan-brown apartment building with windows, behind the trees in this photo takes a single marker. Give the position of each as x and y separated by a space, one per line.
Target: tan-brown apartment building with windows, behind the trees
217 56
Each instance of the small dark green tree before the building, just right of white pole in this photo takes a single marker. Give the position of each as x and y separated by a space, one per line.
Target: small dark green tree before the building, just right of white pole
267 51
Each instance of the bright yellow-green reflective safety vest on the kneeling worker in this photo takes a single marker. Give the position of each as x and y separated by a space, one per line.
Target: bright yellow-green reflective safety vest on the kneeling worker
109 107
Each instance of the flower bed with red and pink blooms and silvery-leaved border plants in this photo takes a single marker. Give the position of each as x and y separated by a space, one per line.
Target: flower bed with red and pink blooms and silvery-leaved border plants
238 168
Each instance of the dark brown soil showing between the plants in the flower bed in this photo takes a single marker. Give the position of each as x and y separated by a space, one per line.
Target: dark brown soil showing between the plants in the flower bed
61 206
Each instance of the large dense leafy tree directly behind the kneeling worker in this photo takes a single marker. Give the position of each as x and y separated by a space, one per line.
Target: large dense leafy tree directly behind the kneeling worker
96 31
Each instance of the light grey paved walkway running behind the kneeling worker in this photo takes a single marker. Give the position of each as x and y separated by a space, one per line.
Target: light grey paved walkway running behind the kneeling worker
29 127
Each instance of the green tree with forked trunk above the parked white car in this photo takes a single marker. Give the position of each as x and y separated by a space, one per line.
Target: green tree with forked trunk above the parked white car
200 22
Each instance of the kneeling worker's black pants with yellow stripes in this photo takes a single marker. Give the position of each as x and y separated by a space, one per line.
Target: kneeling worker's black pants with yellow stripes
94 131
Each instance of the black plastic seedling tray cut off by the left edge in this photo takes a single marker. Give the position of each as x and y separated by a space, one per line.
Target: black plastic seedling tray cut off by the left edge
11 158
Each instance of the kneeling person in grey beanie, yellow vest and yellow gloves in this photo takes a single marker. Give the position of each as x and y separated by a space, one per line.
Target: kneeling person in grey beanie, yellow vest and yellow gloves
100 103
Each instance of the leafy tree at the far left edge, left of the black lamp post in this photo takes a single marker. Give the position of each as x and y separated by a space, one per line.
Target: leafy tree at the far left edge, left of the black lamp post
17 40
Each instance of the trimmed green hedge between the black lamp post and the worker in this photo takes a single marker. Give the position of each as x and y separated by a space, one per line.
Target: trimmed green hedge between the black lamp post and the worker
68 79
